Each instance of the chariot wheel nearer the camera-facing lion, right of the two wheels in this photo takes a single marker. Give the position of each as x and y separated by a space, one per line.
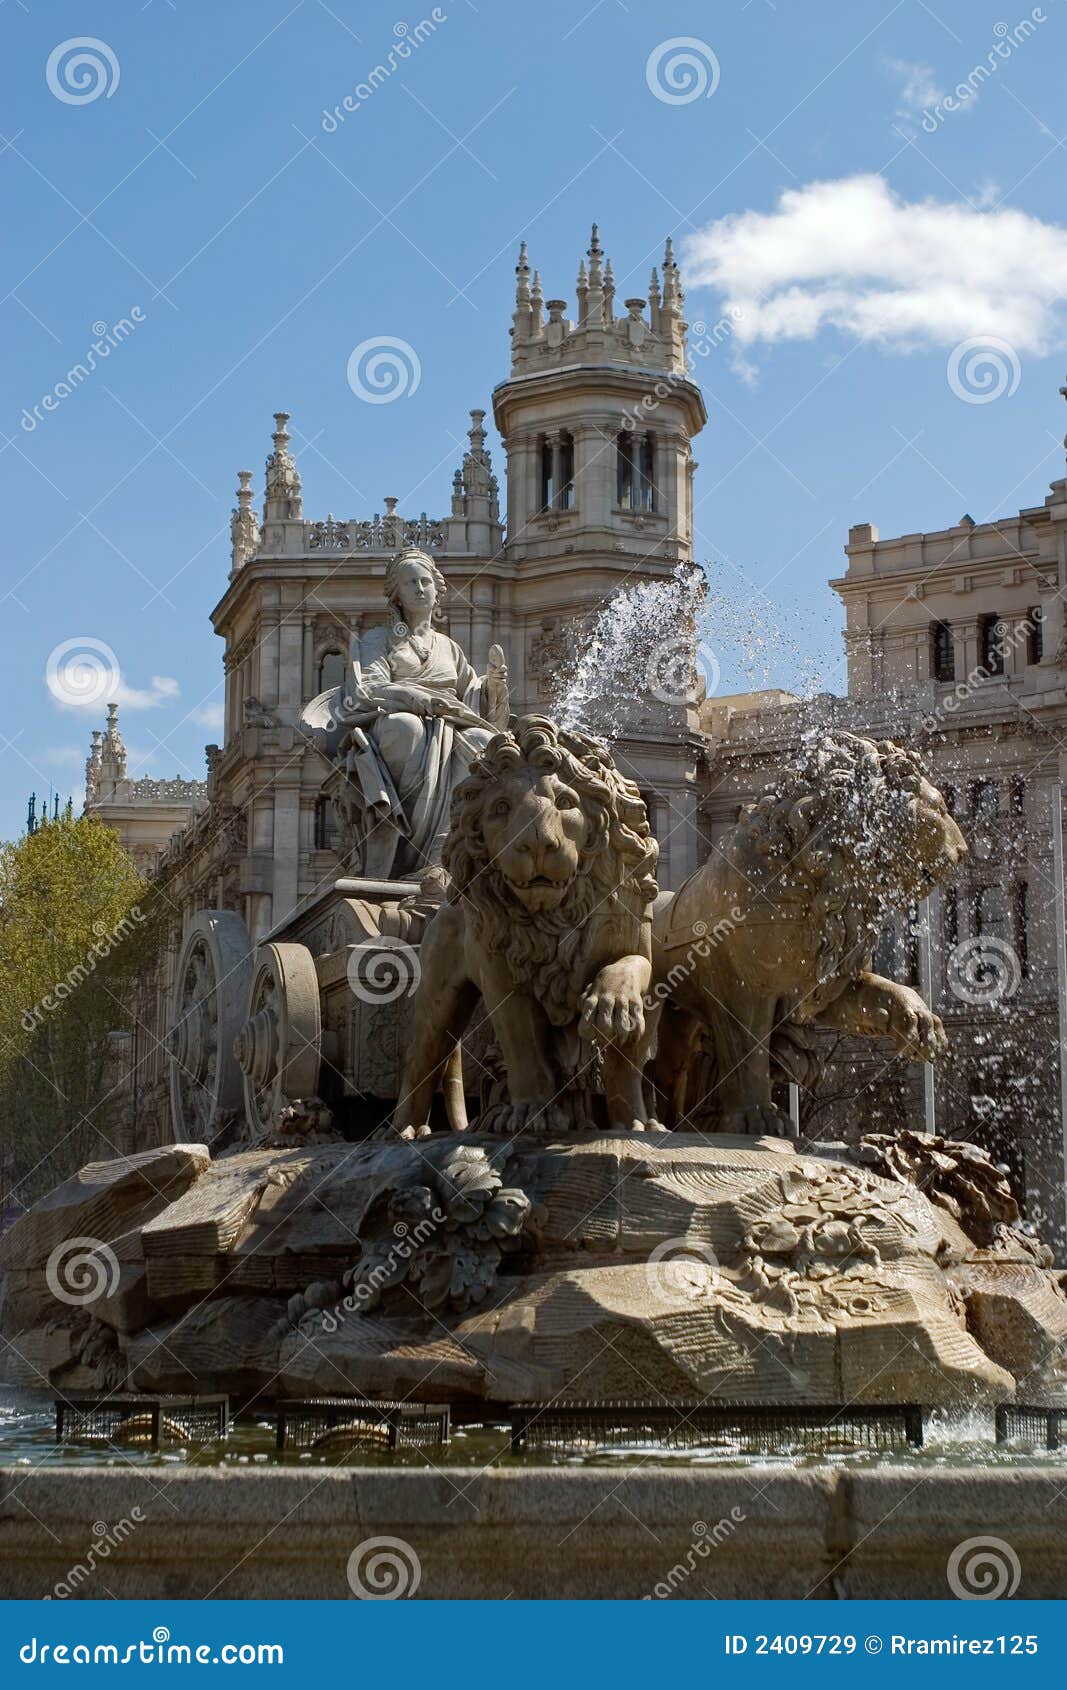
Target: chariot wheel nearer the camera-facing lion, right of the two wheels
280 1045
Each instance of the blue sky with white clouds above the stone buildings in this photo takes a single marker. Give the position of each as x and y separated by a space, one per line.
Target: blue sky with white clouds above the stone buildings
260 248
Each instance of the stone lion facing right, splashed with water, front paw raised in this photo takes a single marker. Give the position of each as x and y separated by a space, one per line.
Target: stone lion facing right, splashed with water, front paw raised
777 932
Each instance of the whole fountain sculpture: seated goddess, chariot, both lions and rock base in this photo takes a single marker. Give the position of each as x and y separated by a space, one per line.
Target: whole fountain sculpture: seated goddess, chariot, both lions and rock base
505 1104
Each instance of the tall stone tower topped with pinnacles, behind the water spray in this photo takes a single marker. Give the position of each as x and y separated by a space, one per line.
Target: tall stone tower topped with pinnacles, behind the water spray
598 420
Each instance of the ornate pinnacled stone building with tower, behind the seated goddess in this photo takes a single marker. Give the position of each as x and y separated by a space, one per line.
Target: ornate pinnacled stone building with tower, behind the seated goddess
598 417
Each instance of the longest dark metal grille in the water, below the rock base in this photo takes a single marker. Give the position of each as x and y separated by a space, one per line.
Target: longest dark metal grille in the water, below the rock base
755 1429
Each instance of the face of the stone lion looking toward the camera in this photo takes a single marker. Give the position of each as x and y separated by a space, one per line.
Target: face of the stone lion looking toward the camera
535 829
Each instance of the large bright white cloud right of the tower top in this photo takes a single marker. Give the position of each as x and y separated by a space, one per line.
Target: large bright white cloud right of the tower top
851 254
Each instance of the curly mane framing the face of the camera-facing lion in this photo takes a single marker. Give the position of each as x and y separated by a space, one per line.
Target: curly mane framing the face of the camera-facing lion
618 864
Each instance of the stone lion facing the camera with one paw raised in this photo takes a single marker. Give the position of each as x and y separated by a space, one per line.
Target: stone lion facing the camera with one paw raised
549 924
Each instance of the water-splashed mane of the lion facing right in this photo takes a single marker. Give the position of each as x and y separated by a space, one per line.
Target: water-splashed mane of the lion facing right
841 834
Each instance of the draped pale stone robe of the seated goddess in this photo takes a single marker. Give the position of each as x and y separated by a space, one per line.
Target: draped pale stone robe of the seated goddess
412 792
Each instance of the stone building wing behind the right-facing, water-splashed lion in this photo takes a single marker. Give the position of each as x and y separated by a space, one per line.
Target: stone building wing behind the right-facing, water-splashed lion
956 646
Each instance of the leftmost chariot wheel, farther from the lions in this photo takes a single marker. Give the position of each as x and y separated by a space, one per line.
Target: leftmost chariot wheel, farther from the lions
207 1010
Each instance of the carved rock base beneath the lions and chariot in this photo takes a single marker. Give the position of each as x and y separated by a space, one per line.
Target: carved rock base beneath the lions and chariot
594 1268
